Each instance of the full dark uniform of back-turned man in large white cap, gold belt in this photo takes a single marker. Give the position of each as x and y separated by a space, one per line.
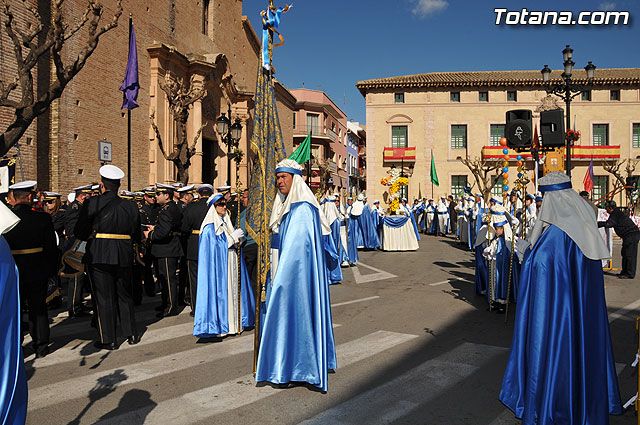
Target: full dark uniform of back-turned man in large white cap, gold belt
110 225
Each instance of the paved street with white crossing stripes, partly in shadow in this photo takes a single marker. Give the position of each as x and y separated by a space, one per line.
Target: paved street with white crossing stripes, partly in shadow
414 346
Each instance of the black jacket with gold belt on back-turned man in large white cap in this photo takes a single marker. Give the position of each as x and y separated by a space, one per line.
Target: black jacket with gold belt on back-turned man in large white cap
110 225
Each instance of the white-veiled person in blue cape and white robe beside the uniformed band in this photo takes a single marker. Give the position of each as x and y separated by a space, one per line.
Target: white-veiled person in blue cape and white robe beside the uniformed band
217 314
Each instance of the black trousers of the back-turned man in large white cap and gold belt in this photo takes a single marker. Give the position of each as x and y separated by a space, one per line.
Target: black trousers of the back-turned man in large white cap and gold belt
112 288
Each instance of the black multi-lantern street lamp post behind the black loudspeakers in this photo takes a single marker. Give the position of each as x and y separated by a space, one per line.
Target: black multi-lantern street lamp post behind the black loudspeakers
567 90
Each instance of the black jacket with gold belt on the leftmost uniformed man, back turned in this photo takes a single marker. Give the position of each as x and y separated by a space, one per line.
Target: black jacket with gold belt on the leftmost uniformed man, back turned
33 244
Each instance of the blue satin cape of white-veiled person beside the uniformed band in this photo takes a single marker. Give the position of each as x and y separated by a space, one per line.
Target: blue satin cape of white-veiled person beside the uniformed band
211 315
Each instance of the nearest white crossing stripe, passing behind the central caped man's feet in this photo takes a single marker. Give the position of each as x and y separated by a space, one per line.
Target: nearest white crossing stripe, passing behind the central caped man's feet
202 404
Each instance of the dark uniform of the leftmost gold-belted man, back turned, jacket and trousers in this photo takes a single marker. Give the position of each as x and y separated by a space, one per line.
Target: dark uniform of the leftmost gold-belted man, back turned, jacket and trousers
33 245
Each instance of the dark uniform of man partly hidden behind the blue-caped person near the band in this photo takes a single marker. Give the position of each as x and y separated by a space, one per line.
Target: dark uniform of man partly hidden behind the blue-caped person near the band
192 219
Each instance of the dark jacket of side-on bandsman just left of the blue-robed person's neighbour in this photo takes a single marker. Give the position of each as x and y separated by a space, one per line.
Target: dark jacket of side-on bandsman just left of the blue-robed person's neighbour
164 237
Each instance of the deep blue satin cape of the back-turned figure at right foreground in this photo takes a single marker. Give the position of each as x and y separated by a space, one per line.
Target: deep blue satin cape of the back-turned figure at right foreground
561 368
